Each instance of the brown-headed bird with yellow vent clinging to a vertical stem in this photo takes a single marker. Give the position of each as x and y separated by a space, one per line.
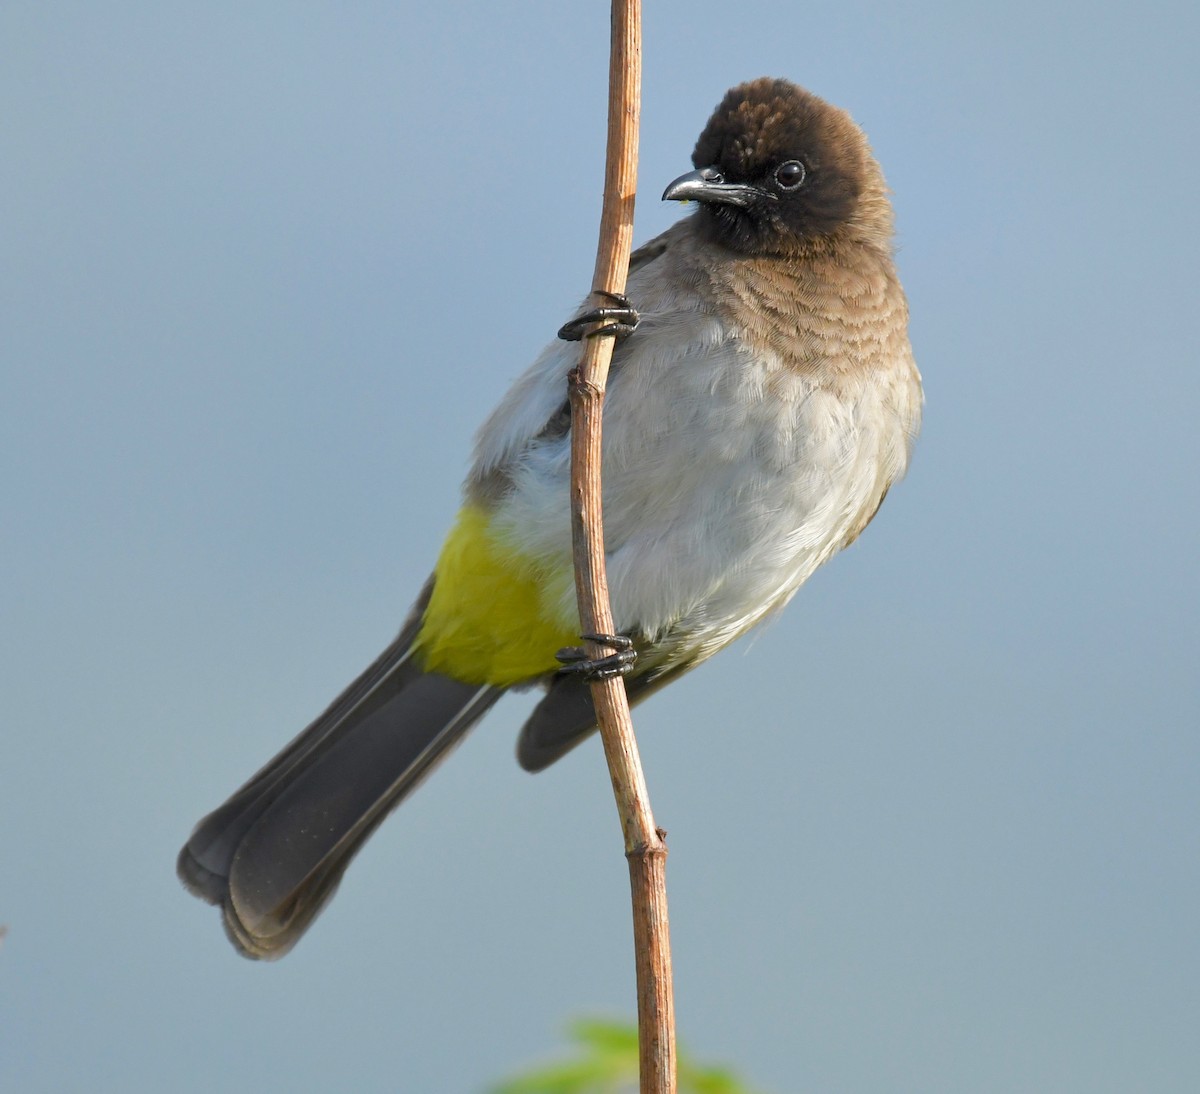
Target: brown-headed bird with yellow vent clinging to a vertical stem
763 400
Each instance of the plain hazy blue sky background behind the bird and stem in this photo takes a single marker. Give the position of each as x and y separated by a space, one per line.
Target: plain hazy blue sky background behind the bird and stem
266 267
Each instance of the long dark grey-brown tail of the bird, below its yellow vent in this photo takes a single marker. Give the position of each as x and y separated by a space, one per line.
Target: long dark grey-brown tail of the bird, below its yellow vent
274 853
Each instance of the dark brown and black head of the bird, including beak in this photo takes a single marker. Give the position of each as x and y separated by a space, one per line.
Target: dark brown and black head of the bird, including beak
778 169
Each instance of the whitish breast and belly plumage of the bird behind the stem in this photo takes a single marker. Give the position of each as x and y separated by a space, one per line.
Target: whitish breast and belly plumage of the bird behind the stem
729 478
